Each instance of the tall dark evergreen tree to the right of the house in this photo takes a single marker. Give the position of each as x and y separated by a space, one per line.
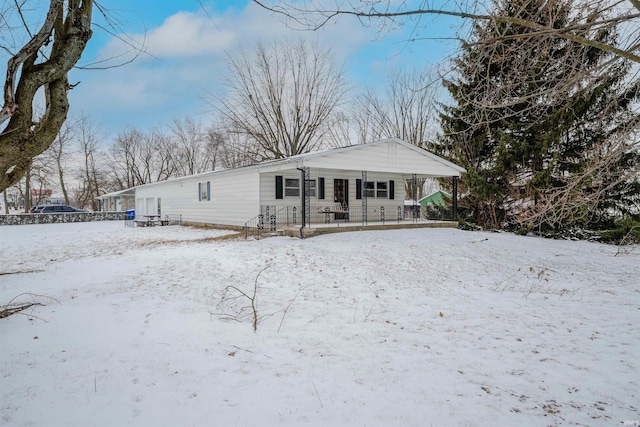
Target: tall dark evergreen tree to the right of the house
544 126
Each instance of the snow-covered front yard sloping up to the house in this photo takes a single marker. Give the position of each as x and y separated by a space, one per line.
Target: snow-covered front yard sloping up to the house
380 328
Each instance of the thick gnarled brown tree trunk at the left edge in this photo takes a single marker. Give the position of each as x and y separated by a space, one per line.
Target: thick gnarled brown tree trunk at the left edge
41 63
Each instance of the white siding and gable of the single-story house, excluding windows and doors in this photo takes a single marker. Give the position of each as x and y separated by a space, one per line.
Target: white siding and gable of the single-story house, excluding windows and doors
237 195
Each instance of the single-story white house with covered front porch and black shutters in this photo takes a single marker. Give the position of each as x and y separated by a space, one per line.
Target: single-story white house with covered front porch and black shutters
356 183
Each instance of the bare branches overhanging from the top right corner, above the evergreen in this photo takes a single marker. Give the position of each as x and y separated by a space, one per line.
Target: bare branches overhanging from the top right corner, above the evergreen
388 15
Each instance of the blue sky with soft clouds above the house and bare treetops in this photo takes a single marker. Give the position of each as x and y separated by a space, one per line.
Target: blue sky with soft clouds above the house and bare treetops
187 42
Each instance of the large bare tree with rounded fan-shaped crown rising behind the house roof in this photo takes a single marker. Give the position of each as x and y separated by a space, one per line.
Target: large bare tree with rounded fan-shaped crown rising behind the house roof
282 98
